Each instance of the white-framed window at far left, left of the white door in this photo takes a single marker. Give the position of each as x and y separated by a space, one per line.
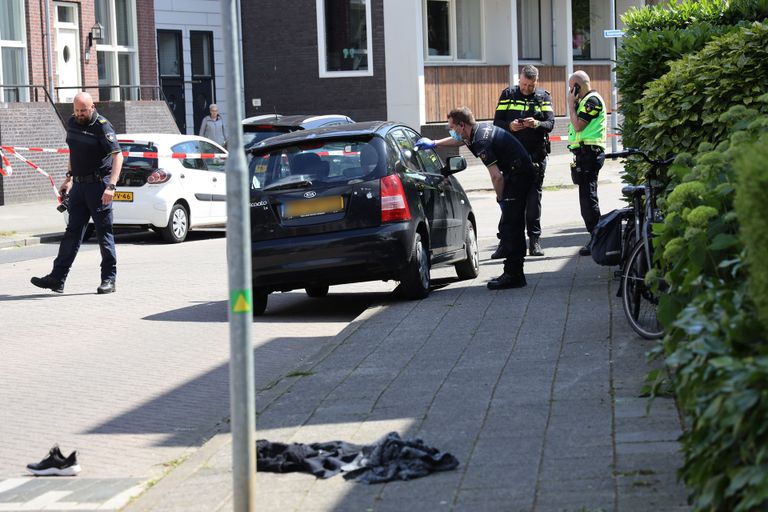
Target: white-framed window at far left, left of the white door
13 69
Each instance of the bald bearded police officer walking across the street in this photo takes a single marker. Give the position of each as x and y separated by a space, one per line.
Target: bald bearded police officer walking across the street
95 161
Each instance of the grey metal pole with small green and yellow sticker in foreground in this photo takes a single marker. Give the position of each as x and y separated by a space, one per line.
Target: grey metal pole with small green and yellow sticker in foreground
241 382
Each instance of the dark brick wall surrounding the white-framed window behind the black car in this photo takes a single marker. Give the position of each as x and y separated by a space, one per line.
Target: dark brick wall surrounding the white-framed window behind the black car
281 65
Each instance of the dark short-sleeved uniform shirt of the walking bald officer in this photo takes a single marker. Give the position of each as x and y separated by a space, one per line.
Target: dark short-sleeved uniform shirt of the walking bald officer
91 146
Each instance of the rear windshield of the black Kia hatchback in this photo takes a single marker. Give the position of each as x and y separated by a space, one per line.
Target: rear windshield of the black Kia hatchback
317 162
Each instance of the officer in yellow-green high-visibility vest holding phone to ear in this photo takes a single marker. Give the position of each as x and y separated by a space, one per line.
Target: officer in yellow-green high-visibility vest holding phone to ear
586 140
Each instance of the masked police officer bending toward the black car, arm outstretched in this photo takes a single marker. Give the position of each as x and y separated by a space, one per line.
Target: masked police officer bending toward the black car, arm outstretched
512 173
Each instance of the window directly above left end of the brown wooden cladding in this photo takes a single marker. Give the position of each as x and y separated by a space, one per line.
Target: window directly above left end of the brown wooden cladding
453 30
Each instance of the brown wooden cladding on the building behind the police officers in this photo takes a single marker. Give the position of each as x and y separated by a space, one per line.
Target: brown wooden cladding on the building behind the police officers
479 87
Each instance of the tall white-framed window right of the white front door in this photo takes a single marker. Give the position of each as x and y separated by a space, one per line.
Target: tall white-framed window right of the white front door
117 53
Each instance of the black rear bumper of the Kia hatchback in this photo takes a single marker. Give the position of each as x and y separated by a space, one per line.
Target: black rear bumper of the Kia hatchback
368 254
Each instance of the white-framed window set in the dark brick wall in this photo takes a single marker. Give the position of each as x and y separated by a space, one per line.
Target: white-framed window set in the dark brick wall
344 38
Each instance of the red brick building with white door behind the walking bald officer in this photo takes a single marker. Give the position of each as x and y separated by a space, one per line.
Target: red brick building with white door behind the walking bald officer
49 50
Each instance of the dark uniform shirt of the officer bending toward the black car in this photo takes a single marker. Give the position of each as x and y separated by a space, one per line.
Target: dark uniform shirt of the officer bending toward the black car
494 145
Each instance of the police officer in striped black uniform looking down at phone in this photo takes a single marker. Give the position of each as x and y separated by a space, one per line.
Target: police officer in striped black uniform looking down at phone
527 113
